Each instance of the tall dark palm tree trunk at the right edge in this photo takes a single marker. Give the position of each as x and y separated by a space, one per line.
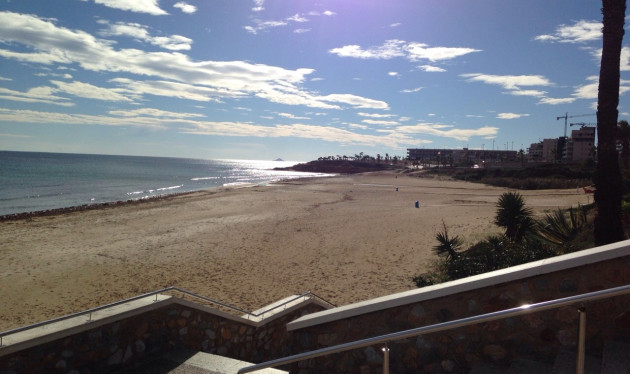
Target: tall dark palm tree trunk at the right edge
608 227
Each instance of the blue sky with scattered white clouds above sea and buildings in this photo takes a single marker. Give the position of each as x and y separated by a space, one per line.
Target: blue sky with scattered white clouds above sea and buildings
296 79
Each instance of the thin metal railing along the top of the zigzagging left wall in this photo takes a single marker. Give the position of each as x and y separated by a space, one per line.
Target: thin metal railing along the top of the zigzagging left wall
89 312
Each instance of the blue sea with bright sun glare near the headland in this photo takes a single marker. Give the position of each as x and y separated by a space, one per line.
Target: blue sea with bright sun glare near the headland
33 181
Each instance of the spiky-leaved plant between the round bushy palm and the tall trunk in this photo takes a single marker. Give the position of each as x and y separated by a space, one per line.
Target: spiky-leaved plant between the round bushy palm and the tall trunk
561 228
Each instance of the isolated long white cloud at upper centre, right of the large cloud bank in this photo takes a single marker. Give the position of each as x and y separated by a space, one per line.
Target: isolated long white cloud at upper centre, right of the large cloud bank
399 48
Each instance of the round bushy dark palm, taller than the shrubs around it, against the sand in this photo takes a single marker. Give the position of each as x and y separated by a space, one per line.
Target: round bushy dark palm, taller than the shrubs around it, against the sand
513 216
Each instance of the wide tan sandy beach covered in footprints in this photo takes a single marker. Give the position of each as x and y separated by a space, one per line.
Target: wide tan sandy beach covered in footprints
346 238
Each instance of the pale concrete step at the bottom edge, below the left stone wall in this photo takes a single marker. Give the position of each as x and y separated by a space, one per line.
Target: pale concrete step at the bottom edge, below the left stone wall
189 362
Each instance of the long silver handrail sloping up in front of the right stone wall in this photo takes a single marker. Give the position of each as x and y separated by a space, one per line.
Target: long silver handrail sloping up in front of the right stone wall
481 318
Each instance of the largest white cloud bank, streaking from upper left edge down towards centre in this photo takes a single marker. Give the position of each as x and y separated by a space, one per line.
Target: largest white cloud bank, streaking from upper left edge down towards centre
46 43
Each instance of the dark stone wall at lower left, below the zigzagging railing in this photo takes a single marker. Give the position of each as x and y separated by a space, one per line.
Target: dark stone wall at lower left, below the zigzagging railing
125 343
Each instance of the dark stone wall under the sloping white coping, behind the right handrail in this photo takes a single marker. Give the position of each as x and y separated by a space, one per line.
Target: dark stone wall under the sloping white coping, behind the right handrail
536 337
